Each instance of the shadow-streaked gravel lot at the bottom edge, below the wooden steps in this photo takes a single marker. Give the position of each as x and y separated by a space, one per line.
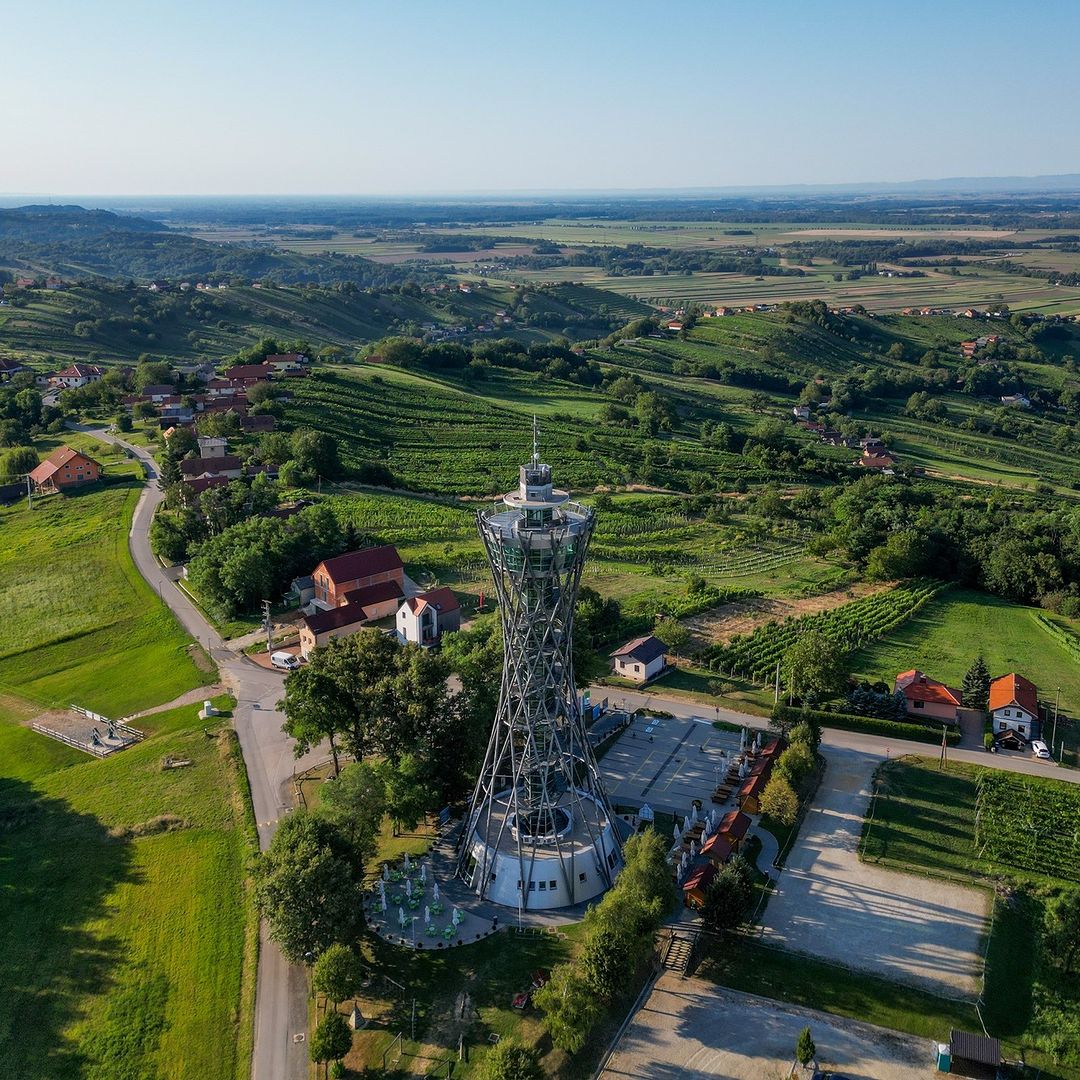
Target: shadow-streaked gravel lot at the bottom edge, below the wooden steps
692 1029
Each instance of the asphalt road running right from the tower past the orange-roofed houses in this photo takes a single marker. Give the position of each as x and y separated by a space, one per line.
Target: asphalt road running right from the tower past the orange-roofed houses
833 738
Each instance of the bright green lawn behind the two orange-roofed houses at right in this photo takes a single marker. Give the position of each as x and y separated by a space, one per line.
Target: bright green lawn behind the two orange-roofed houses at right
951 631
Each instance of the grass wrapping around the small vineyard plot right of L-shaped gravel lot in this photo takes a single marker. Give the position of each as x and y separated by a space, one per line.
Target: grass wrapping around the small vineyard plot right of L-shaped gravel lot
925 821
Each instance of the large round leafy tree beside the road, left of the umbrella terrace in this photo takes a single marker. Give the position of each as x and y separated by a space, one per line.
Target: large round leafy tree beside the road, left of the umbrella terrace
309 887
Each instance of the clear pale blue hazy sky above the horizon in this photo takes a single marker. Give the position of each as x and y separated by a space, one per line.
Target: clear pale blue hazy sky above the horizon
406 97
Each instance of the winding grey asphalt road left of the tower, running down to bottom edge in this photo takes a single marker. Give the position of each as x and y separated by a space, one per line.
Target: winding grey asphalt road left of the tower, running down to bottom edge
281 1010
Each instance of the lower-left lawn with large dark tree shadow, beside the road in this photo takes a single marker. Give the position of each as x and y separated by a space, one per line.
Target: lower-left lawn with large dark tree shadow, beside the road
128 943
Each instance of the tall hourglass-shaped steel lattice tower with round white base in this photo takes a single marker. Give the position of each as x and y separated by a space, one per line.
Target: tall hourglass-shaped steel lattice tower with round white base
541 832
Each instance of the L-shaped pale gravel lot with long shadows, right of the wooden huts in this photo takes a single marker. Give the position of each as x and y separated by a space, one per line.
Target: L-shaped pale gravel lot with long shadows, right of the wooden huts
901 926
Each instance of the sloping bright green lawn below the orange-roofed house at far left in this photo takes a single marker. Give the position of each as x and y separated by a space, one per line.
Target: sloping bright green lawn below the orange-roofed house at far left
80 626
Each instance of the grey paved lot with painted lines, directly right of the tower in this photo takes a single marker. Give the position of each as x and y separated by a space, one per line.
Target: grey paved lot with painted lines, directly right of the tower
667 763
